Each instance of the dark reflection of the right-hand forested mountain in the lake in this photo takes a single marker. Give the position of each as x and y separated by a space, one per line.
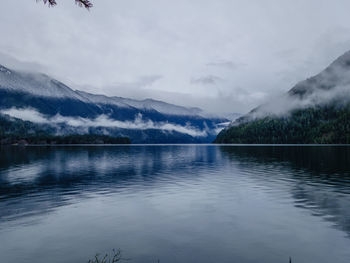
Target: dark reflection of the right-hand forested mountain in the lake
320 176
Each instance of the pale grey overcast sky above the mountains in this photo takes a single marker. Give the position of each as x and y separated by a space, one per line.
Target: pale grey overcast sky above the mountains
220 55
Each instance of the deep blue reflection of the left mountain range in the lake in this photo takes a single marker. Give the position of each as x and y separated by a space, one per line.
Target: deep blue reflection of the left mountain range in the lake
35 180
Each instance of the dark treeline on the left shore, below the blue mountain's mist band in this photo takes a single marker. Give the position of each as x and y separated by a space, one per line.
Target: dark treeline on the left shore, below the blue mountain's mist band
14 131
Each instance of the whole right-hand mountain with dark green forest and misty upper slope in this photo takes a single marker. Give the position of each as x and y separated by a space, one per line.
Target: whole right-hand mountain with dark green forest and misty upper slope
316 110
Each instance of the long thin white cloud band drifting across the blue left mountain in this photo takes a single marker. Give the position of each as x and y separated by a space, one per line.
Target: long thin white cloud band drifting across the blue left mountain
32 115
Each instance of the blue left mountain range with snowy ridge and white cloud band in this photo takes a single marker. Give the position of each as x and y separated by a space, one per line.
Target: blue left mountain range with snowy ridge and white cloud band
55 108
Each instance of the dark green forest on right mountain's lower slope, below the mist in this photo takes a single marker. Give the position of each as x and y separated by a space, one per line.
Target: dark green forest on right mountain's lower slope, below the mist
319 125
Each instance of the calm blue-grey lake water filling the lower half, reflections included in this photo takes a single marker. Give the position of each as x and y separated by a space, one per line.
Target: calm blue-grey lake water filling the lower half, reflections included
175 203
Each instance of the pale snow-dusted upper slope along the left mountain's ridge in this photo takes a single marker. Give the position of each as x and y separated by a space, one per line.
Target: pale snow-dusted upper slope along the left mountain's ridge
43 86
